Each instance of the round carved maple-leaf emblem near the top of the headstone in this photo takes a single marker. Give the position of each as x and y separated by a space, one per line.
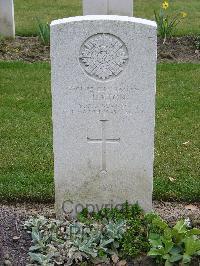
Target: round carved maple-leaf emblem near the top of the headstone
103 56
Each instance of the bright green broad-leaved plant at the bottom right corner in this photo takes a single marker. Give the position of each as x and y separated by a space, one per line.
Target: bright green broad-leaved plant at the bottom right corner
172 245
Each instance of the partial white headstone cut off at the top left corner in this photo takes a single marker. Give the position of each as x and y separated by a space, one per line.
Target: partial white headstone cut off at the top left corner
7 23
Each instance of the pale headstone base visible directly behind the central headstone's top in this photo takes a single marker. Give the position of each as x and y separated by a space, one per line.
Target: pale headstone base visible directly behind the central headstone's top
108 7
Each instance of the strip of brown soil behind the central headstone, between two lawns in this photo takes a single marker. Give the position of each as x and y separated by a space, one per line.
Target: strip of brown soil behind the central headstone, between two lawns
30 49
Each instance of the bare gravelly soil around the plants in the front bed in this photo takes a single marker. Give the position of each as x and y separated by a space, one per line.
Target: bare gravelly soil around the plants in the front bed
15 242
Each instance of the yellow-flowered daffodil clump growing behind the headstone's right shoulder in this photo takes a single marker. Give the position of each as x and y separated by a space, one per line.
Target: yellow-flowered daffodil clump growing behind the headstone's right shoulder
166 24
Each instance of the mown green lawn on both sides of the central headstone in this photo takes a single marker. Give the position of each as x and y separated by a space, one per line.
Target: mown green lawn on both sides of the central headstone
26 132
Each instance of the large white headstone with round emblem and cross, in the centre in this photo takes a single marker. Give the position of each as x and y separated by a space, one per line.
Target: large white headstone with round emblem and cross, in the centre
103 89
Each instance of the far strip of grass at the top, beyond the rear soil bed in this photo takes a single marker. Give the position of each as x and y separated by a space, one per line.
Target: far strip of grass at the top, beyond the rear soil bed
26 12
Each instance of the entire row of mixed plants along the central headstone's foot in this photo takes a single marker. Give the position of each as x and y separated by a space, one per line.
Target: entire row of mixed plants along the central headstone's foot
111 235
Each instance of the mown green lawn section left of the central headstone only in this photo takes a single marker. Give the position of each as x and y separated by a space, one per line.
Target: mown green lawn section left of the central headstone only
26 138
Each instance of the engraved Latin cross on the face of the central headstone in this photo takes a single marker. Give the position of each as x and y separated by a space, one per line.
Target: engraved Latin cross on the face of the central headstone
104 140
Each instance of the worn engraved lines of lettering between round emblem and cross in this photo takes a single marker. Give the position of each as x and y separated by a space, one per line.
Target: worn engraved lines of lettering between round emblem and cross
100 99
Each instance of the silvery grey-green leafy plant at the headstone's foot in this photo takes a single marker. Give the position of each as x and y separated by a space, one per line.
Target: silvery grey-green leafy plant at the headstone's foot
60 242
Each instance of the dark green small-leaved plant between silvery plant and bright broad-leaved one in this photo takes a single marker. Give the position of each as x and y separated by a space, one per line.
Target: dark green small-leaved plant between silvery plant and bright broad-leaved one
135 238
